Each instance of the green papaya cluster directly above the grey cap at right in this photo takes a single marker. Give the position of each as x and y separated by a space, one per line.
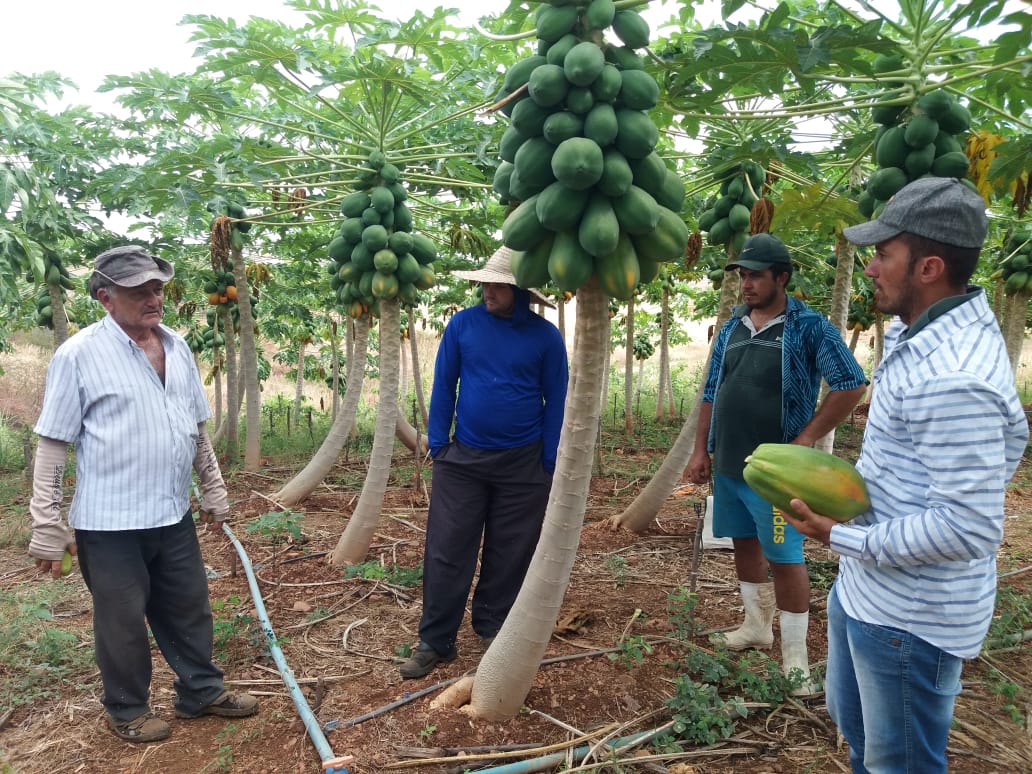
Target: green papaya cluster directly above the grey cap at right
914 143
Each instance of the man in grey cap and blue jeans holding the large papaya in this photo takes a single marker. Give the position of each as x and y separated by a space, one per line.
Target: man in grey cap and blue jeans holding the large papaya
917 582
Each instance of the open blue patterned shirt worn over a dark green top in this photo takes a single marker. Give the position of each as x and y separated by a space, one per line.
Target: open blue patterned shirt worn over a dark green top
812 349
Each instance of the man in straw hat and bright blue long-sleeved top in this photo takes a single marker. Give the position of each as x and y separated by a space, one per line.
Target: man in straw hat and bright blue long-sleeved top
501 375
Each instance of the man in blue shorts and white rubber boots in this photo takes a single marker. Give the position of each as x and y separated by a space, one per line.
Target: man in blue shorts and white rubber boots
762 388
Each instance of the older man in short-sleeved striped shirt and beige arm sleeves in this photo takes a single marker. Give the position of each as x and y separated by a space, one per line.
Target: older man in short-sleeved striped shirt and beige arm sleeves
126 393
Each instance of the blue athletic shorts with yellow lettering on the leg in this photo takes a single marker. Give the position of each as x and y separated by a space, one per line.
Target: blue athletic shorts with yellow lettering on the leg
739 512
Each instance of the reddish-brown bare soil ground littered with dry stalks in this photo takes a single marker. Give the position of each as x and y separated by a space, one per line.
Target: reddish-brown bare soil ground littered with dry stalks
340 636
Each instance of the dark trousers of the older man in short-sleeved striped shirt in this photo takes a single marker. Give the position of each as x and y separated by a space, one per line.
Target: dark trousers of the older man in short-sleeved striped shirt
155 576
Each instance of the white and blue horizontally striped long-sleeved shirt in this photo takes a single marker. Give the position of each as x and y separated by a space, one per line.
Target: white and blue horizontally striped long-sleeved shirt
945 435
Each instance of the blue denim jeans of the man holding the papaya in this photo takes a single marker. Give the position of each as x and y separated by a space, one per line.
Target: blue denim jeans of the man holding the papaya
891 694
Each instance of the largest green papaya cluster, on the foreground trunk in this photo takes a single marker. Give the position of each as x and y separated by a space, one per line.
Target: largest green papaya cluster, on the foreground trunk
579 156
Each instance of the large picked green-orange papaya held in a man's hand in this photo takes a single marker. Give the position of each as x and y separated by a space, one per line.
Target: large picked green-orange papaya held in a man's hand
828 485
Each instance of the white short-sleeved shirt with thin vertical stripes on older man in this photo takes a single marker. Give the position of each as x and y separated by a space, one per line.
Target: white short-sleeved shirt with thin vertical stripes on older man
136 438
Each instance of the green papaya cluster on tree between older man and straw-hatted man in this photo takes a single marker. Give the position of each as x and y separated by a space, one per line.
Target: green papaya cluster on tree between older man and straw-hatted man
375 254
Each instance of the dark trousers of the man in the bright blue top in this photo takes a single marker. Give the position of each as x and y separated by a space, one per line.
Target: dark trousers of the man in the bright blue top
498 496
